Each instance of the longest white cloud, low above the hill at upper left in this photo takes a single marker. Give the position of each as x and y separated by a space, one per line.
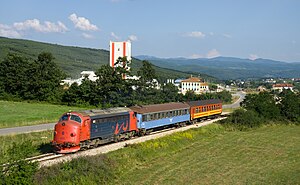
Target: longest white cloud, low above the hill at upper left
35 24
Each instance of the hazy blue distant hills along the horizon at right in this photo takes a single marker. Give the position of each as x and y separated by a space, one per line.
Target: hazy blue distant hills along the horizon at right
230 67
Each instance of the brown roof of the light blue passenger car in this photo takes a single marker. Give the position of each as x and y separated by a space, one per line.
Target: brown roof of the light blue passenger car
159 107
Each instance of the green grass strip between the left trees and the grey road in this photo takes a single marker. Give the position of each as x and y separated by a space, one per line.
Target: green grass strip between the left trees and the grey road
15 114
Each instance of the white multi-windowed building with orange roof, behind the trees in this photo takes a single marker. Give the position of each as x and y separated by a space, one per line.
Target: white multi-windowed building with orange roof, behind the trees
194 84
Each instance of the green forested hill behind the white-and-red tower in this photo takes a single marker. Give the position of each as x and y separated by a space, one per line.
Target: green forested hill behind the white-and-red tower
73 60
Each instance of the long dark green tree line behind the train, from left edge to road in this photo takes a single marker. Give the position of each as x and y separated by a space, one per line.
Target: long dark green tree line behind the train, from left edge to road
40 80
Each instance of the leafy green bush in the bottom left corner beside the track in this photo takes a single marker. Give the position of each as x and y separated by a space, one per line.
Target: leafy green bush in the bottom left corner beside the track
18 170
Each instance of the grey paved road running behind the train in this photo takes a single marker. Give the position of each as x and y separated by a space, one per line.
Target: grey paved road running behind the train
50 126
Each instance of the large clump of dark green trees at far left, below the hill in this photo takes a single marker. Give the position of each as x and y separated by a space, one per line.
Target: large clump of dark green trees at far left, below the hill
31 80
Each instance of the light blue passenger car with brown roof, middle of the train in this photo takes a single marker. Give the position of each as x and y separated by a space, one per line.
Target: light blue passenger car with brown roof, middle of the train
159 115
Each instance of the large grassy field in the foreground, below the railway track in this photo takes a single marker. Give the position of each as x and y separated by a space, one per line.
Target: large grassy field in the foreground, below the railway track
210 155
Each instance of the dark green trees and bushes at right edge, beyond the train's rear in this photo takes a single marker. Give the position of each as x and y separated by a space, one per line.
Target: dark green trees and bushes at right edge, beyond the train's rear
265 108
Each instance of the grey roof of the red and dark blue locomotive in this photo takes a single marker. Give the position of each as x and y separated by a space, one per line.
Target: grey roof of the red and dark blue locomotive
106 112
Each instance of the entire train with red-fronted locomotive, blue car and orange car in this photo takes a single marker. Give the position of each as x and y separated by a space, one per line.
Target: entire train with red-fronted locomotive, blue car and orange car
90 128
